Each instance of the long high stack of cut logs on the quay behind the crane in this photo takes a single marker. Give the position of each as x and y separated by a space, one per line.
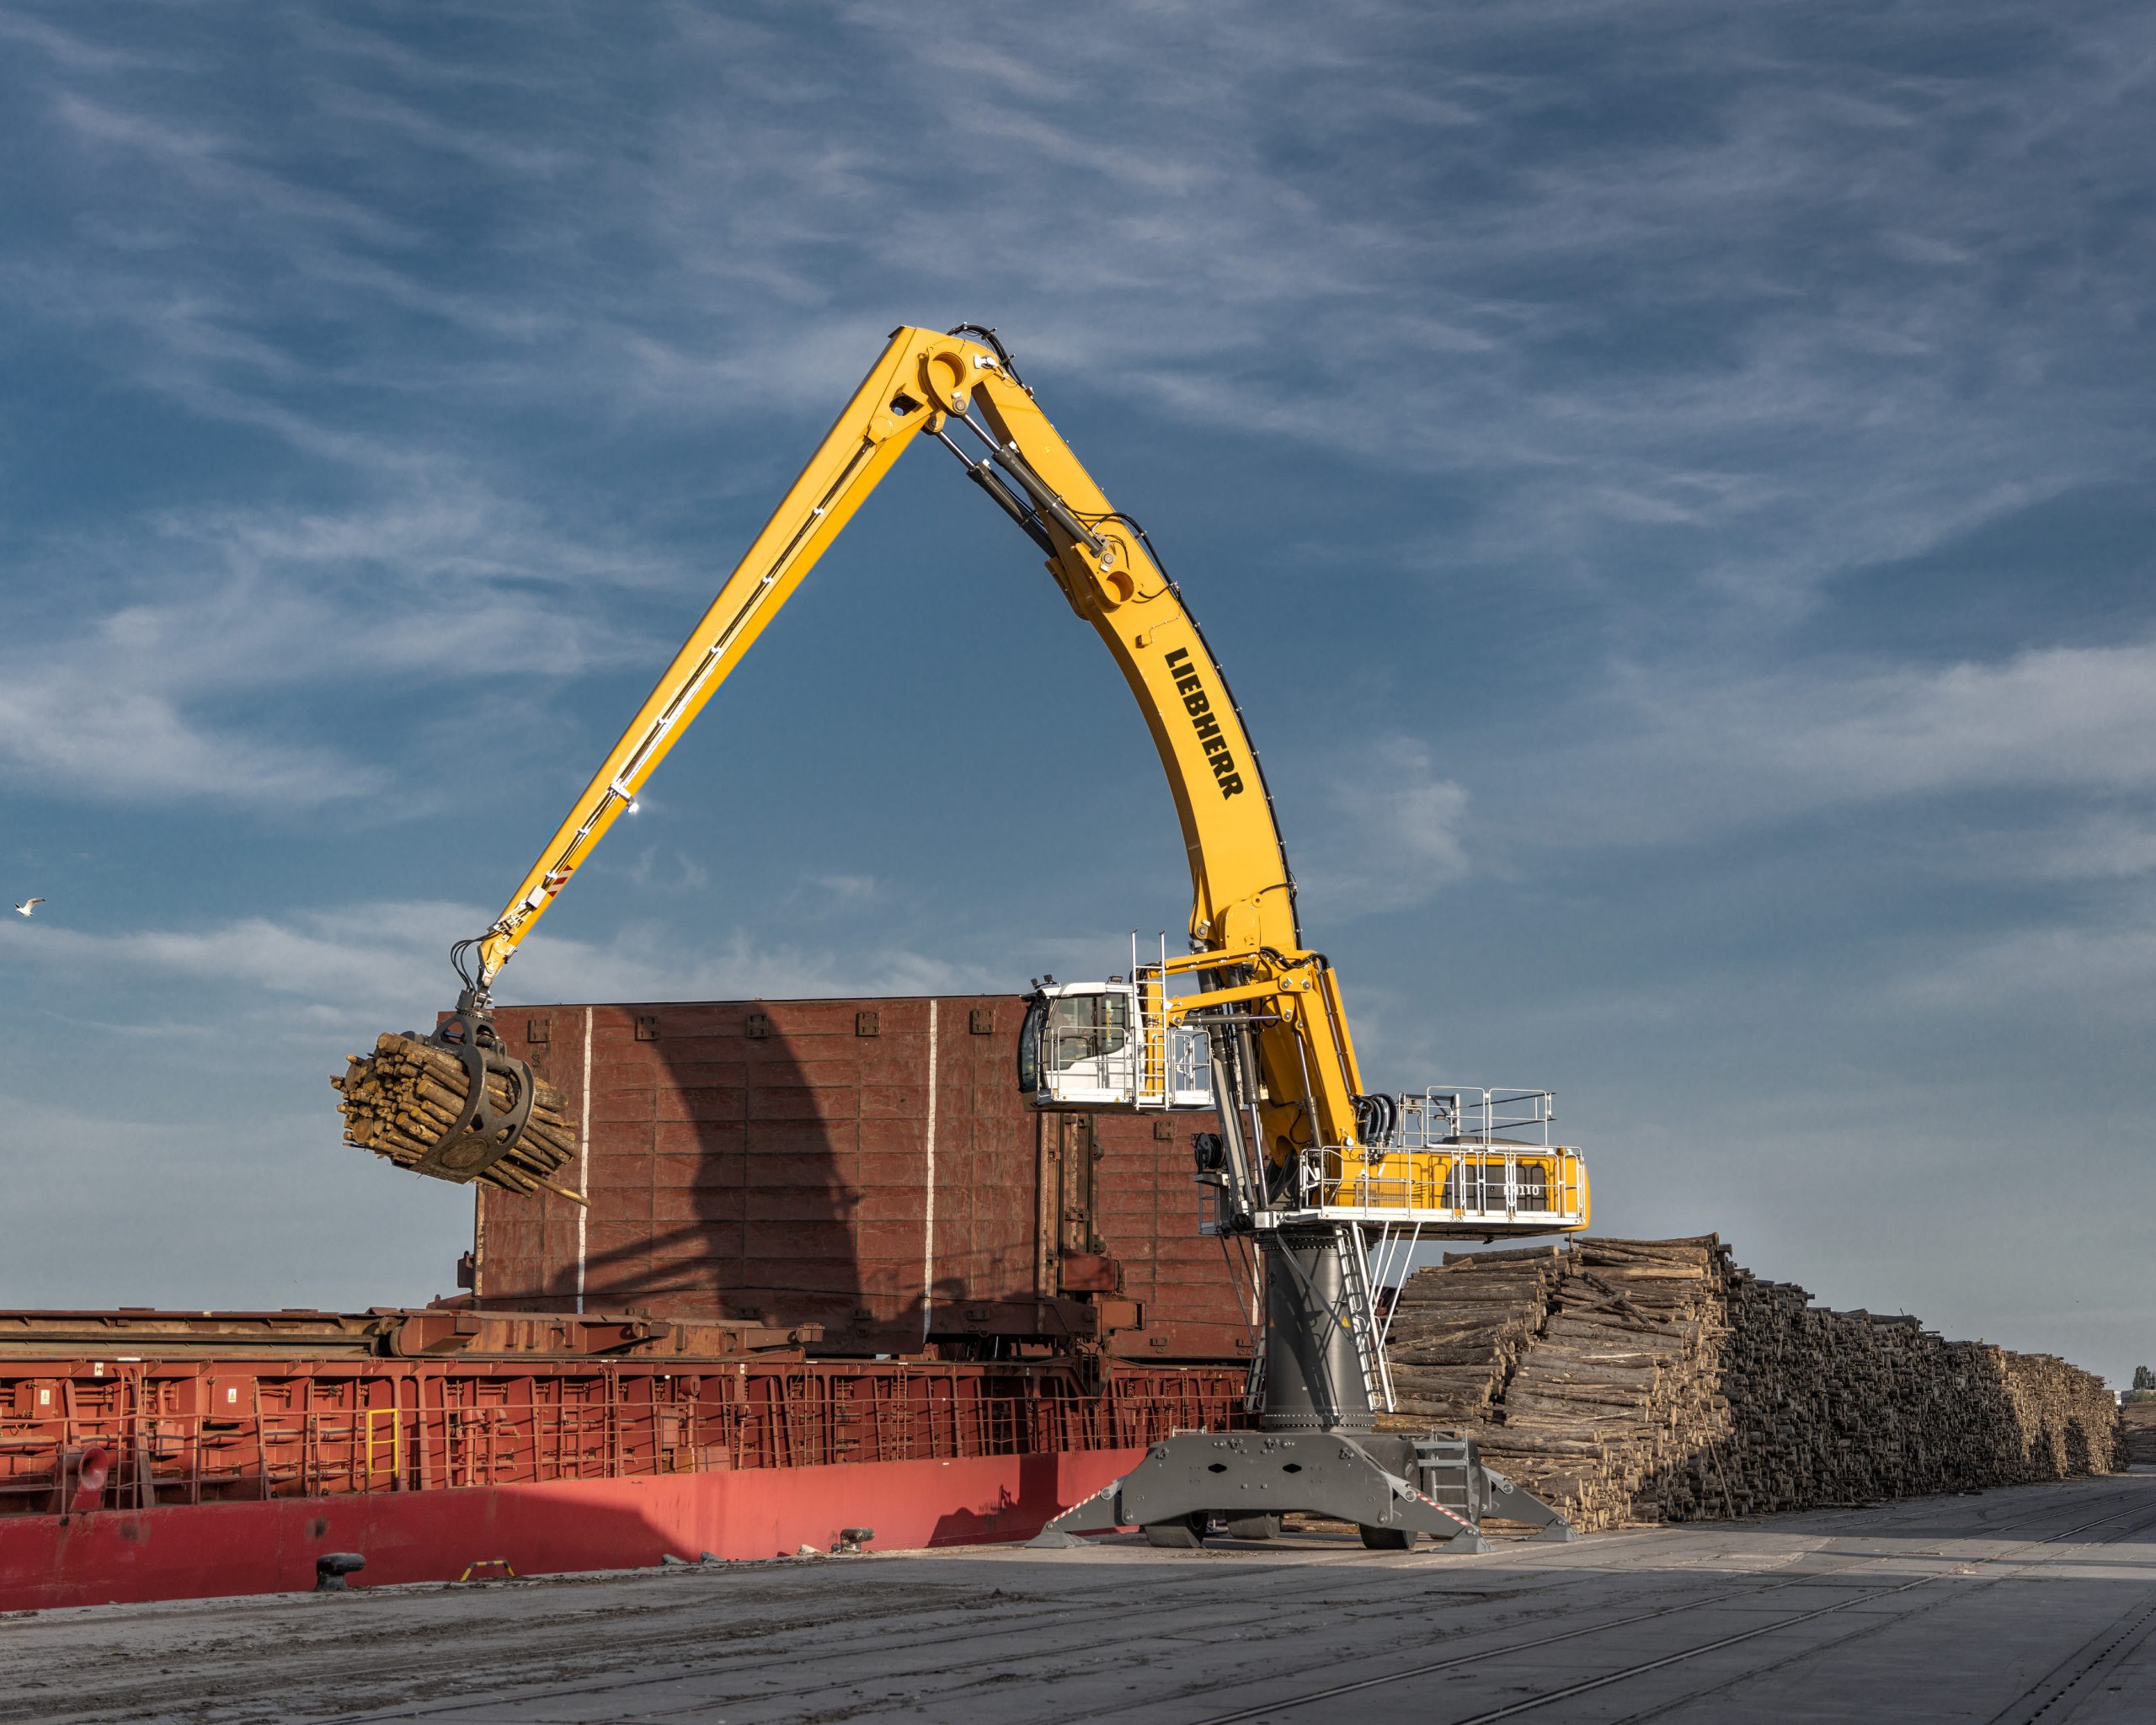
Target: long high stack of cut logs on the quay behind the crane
1642 1381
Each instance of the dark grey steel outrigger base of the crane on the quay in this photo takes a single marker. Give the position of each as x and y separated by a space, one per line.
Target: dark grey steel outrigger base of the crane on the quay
1260 1474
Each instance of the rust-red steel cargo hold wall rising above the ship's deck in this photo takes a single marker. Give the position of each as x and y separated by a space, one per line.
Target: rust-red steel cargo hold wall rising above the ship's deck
863 1165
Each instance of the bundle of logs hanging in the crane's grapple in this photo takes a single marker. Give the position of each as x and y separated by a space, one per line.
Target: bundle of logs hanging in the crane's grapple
406 1096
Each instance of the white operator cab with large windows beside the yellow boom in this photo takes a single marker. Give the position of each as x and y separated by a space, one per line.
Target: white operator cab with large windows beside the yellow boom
1094 1047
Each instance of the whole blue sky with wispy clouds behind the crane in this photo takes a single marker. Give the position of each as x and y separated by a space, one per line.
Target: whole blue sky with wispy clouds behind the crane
1670 484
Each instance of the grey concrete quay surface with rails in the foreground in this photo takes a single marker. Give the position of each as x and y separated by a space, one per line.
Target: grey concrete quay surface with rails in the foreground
2032 1603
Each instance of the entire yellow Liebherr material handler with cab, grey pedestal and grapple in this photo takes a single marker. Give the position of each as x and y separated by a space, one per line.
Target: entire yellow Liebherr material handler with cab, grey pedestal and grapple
1333 1183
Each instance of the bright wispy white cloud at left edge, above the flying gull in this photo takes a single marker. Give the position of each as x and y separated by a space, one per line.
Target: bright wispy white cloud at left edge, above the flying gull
223 607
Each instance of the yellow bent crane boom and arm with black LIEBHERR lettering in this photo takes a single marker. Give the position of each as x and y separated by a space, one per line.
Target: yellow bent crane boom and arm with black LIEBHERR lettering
1243 896
